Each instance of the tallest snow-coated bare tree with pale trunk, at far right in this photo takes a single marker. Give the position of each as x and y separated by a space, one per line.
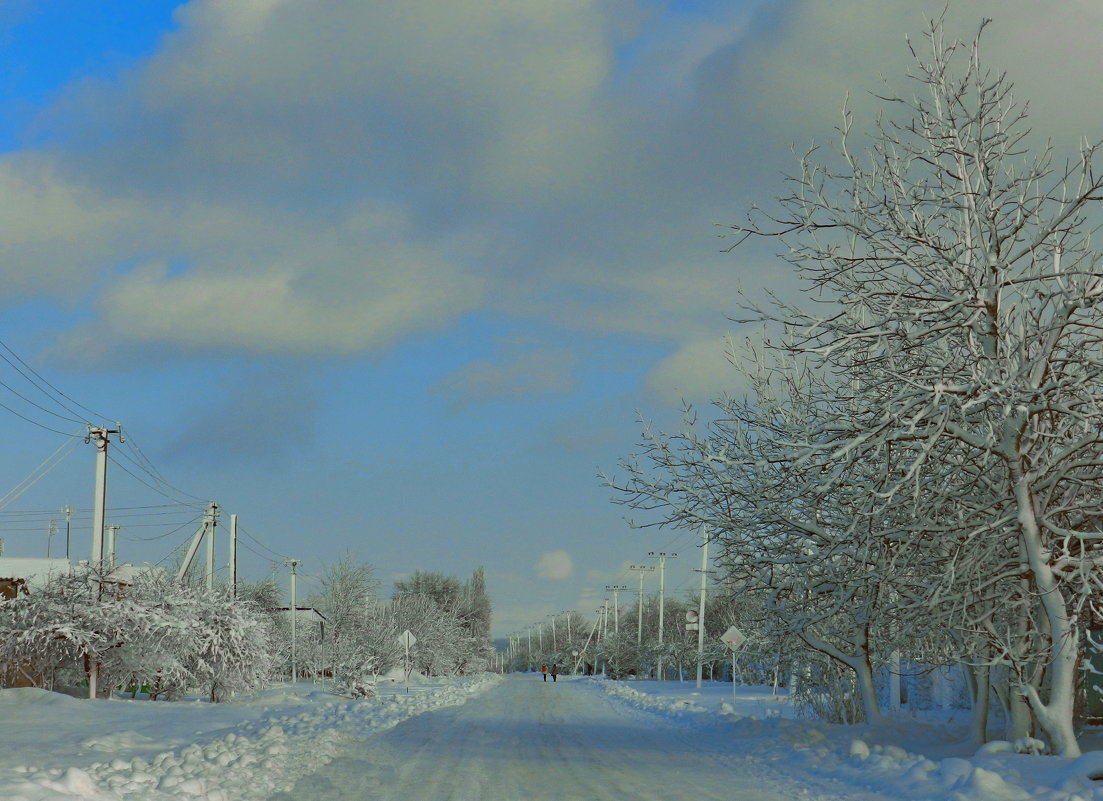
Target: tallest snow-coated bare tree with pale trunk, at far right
963 293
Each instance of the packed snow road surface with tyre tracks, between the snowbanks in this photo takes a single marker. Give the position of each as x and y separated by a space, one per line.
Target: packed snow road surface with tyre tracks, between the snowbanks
529 741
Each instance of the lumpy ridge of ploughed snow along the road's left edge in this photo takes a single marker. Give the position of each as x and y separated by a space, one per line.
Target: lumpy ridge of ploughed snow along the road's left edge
250 764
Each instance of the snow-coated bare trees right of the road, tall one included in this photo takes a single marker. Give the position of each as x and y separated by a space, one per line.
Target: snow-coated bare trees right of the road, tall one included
918 465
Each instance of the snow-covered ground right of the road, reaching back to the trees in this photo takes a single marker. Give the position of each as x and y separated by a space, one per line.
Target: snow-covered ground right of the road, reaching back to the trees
905 759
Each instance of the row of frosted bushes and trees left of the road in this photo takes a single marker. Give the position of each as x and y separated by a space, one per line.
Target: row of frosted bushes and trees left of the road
172 637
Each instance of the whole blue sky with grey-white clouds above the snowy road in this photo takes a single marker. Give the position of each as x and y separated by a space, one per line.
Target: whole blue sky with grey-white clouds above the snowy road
395 279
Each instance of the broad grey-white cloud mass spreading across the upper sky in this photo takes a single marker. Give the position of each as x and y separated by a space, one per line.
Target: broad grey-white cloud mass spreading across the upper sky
335 178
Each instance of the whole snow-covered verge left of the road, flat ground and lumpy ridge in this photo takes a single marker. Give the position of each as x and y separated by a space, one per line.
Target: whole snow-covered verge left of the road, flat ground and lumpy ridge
113 751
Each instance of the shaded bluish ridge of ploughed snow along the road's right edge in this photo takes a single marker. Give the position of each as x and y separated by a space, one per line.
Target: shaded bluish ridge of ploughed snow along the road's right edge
999 772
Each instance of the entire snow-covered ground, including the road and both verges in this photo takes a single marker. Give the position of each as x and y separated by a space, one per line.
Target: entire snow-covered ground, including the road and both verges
512 740
